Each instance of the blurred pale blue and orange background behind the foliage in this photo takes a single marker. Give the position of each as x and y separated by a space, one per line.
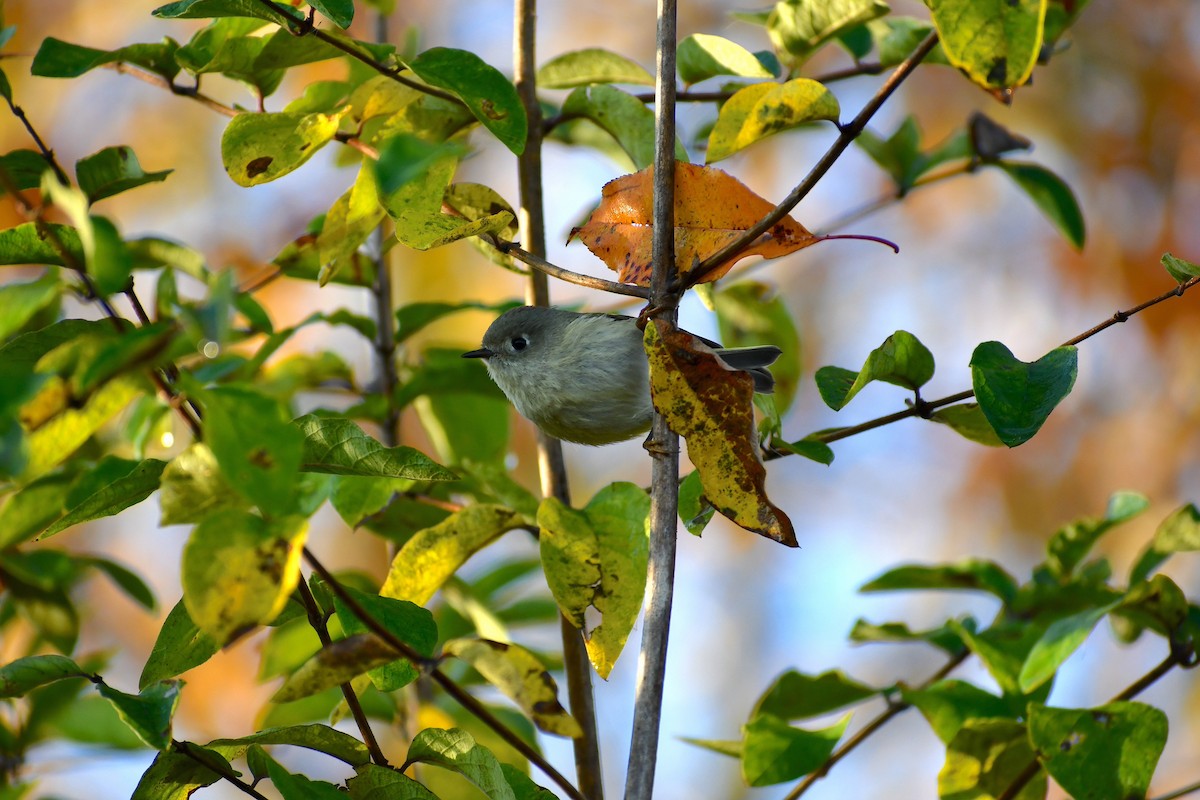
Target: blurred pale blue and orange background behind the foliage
1118 116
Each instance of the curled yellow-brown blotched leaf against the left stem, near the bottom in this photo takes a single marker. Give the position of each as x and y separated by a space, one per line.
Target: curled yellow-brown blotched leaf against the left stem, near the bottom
521 678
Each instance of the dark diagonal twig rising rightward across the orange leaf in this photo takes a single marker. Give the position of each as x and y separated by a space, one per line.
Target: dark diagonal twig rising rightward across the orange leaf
849 134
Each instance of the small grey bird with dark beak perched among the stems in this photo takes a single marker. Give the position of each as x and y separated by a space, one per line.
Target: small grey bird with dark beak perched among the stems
585 377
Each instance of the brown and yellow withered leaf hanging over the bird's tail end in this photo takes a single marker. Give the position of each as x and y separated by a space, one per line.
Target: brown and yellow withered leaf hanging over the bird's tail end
712 408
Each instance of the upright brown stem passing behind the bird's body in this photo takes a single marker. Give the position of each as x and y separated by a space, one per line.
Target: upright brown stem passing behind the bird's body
550 450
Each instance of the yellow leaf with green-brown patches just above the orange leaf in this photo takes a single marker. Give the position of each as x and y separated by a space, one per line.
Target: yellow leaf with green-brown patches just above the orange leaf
766 109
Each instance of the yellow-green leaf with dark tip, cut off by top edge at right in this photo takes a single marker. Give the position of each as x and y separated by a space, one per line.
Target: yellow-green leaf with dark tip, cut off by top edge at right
997 43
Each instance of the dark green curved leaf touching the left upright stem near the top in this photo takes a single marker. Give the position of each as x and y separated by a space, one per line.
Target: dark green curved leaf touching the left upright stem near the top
483 88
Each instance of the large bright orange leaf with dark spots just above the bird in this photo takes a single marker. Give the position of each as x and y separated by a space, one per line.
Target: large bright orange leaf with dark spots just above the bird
712 210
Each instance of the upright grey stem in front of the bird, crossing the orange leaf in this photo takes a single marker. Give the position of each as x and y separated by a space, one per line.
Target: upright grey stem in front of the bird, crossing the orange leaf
665 444
